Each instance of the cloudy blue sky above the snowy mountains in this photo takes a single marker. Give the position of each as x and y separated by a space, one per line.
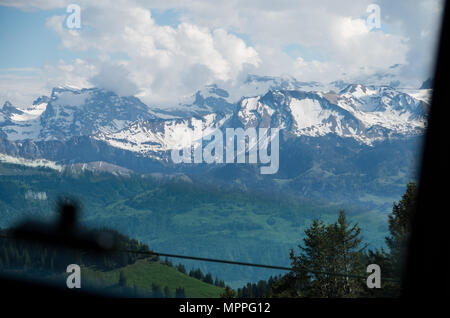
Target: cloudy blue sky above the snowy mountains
171 48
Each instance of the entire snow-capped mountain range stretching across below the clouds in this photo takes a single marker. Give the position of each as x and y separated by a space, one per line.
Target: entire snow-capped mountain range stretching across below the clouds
364 113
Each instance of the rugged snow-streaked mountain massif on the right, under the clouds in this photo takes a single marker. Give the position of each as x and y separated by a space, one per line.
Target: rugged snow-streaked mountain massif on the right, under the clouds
366 114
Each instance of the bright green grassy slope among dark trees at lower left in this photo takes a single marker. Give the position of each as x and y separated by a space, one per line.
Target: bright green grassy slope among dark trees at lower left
143 274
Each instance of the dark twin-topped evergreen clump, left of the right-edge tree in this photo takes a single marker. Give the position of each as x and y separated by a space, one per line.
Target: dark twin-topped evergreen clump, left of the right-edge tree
327 249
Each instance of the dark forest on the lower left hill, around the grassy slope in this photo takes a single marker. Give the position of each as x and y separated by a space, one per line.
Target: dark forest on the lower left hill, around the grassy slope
32 259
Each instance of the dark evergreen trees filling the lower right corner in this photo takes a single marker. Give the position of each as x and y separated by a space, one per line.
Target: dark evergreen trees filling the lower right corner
338 248
